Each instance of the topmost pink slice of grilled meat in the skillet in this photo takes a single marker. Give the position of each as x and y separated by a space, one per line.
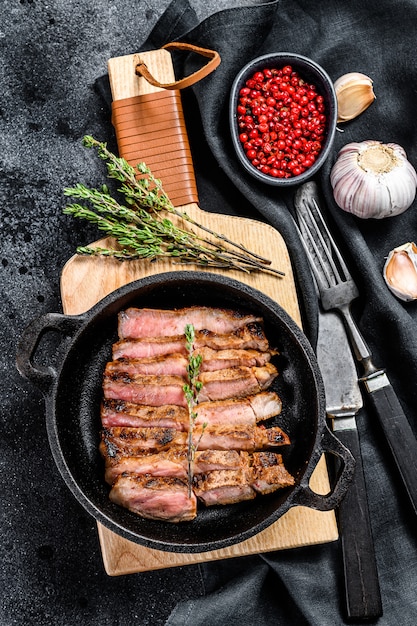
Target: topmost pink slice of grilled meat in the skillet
137 323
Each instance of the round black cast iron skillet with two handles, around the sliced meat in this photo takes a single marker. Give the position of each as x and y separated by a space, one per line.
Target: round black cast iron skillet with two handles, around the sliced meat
72 390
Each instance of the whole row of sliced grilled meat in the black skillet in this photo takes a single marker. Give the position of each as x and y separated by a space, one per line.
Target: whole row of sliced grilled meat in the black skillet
145 417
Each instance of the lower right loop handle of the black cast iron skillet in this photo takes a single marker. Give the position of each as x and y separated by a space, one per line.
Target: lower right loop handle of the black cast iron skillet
329 501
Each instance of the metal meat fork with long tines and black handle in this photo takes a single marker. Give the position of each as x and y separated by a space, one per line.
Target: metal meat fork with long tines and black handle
337 290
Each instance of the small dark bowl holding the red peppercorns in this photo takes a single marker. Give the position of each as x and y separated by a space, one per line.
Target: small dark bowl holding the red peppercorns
312 73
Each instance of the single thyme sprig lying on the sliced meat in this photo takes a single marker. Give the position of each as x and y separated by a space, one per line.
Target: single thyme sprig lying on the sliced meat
191 391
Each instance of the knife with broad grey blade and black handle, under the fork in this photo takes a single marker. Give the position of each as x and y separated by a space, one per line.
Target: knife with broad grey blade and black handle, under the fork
343 401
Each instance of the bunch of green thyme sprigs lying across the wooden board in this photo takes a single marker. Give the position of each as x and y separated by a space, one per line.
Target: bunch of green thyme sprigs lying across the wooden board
140 225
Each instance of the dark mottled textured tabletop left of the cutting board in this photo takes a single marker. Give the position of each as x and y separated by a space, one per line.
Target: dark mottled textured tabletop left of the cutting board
51 53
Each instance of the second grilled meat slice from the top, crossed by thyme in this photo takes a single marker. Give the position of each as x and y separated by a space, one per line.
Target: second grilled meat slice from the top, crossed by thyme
251 336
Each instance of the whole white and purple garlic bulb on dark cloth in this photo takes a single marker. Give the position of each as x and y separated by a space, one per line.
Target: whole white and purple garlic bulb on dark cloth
372 179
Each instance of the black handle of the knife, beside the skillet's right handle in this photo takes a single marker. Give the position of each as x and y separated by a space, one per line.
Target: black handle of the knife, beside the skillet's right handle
363 596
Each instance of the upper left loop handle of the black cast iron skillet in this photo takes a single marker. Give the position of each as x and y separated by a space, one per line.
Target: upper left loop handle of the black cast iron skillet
41 375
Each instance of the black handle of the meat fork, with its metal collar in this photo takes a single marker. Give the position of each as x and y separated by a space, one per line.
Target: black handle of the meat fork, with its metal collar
398 433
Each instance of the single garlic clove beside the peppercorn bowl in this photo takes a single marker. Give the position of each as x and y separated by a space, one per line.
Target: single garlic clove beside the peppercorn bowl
354 93
